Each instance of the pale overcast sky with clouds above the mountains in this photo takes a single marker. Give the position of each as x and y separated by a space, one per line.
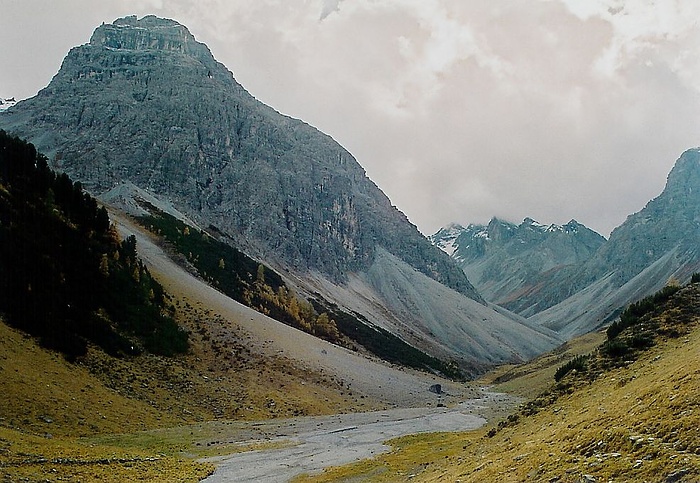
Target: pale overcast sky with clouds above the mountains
458 110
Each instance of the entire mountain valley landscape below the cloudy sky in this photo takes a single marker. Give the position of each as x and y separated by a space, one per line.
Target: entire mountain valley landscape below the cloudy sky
195 286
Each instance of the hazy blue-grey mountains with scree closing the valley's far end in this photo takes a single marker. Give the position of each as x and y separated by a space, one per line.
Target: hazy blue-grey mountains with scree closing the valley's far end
577 286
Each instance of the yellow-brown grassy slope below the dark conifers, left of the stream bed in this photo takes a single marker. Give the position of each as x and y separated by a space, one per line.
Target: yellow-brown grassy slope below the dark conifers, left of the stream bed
100 417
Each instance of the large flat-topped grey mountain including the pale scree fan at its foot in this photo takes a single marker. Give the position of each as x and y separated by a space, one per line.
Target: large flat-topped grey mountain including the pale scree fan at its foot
145 107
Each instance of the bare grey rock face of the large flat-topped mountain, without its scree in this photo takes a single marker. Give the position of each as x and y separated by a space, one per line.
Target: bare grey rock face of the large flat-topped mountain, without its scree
145 102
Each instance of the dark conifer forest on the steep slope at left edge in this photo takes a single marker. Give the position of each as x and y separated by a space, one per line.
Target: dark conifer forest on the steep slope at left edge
66 277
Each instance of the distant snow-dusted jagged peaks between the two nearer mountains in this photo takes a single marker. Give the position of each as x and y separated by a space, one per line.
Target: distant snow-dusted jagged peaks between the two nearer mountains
509 264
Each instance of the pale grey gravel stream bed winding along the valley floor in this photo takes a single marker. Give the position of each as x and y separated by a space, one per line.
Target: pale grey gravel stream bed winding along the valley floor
307 445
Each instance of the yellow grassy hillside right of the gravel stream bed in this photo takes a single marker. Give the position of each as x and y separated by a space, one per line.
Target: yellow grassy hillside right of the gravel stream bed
639 422
